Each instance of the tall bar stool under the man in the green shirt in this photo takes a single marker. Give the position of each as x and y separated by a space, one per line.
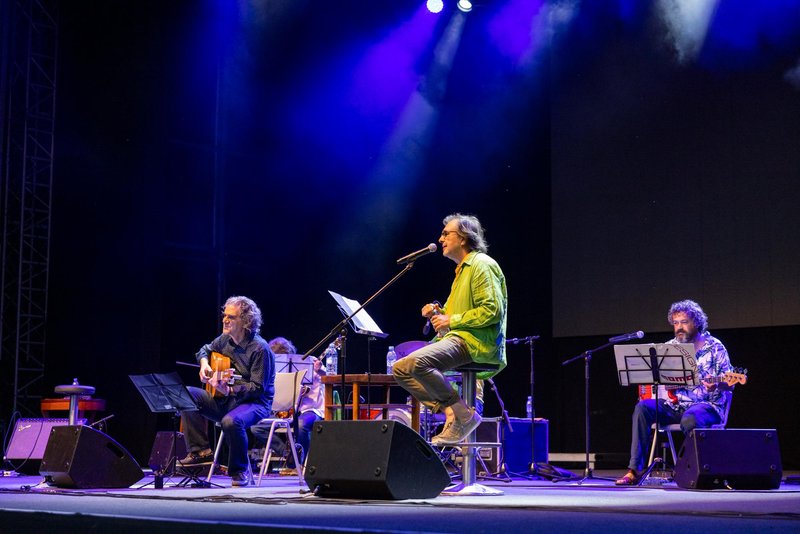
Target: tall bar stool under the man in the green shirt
468 485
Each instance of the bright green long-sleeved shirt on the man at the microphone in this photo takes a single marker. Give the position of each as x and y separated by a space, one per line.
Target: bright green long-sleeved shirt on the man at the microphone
477 306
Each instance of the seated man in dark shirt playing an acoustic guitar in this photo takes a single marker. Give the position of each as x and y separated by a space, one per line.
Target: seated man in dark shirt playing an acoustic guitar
236 406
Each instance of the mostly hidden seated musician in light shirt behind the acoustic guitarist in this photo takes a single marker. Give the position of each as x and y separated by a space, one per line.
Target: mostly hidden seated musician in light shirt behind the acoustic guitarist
310 406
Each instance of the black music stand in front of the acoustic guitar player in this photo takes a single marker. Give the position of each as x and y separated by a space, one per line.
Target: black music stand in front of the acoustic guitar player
165 393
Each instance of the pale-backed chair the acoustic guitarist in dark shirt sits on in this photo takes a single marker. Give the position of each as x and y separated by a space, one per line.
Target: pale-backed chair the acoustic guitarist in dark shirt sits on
287 392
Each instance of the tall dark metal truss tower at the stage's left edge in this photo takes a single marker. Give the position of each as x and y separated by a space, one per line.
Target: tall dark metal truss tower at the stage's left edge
28 113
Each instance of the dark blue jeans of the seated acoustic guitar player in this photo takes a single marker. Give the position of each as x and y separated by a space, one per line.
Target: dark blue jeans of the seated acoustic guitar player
234 418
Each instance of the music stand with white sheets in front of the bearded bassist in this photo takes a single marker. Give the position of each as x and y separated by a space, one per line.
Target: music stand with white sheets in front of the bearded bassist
656 364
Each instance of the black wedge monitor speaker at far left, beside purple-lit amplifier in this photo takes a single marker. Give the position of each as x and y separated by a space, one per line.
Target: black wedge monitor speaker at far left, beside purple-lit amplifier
81 457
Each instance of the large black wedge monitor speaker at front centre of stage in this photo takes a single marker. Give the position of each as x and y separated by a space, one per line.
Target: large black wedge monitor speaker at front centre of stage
372 460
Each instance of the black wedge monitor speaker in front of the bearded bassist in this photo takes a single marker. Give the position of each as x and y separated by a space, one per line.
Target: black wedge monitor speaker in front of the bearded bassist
729 458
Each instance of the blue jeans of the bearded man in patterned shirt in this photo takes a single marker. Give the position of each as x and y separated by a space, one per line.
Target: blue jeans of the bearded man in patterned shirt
700 415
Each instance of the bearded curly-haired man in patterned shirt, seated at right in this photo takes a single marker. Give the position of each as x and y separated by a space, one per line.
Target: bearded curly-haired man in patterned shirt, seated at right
693 407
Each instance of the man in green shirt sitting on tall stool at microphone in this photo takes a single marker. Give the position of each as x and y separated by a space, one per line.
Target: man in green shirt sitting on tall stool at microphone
471 327
